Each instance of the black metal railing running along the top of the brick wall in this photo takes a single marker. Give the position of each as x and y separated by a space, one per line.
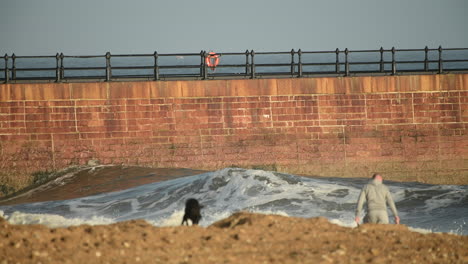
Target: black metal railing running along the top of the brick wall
248 64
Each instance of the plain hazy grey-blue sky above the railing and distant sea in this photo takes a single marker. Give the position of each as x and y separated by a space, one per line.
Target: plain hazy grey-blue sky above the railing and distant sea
88 27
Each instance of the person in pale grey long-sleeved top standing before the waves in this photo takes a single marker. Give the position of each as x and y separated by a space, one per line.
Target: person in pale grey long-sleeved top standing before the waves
377 196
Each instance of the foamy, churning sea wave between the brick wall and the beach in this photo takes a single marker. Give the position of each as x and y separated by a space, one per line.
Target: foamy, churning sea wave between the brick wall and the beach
430 208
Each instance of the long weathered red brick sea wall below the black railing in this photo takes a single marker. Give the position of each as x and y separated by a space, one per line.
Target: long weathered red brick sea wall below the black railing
411 128
